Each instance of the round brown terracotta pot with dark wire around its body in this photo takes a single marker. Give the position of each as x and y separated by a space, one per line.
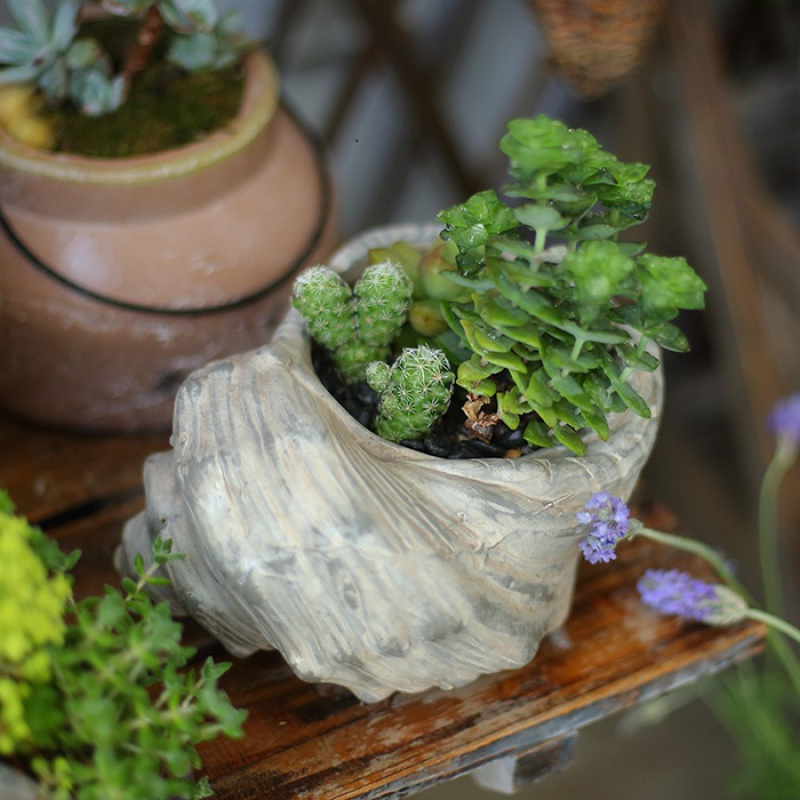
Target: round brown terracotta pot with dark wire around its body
120 276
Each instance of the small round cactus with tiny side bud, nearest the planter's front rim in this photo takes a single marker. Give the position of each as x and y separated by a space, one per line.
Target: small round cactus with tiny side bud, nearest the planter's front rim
414 392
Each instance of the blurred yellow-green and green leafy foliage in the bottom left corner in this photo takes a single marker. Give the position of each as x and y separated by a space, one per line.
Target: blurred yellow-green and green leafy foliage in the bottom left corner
98 701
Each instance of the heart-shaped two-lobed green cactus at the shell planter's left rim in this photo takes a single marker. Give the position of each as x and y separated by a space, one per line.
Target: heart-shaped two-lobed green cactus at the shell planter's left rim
357 326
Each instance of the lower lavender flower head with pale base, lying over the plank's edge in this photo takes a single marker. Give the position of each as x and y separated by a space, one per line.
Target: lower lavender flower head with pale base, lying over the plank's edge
671 591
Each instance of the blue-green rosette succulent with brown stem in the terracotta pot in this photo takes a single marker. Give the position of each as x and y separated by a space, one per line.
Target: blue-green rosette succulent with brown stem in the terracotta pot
54 61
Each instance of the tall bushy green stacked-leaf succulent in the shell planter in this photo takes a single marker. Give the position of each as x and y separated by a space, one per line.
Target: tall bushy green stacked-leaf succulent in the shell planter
557 312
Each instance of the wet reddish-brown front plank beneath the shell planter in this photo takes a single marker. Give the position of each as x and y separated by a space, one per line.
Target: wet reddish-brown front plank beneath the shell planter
304 742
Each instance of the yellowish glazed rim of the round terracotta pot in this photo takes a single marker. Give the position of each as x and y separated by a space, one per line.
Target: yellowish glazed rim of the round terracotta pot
259 105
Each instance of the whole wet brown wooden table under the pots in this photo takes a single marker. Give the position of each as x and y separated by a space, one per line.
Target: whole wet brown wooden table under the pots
306 741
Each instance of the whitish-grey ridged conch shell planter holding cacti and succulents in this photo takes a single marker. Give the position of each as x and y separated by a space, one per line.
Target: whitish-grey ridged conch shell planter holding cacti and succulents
366 564
